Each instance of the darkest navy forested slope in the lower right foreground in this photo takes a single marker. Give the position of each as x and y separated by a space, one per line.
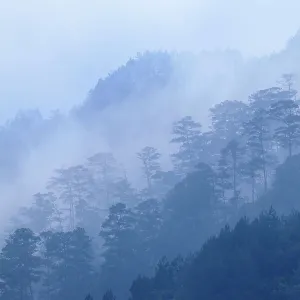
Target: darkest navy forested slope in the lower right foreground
255 260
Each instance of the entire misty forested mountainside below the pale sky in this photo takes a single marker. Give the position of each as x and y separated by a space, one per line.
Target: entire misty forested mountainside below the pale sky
131 204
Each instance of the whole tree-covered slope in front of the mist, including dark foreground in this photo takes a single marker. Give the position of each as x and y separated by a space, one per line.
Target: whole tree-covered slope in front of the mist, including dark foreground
222 223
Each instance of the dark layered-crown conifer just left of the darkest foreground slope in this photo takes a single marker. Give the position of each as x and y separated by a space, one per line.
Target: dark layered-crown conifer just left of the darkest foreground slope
120 248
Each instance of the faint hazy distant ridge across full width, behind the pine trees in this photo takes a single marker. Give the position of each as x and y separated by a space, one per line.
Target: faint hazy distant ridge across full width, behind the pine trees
157 86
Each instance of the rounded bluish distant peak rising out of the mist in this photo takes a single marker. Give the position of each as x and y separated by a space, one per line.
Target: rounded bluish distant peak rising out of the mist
138 76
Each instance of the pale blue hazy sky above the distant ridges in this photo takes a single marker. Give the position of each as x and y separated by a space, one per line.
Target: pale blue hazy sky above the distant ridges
53 51
